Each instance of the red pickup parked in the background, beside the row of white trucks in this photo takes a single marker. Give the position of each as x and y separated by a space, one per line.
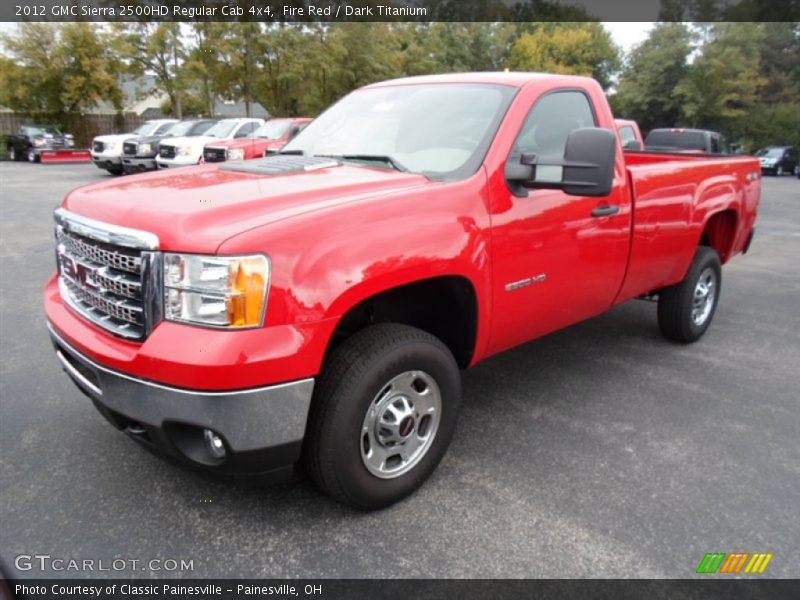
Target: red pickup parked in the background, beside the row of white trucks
270 137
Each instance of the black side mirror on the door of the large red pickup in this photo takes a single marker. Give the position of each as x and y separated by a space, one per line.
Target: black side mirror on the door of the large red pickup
586 169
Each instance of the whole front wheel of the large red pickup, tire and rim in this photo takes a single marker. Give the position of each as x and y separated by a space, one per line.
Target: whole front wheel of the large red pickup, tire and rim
383 415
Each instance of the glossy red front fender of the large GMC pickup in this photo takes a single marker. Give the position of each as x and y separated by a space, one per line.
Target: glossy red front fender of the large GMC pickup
325 265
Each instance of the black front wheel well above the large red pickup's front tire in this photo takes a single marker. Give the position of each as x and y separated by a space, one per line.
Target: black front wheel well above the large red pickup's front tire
445 307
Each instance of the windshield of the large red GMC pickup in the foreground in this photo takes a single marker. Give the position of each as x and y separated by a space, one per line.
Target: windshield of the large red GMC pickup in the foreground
439 130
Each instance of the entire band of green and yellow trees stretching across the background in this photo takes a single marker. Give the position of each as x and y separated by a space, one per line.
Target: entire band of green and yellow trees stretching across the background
741 78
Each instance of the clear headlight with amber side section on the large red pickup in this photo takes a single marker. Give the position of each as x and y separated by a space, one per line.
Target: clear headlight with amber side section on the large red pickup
219 291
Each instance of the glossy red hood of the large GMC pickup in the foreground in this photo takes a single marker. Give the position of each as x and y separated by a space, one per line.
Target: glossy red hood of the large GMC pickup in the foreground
197 208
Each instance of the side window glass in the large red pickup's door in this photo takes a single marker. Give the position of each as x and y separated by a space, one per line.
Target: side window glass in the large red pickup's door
550 122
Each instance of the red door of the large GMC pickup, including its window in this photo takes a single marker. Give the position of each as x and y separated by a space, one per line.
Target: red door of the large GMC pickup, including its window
557 259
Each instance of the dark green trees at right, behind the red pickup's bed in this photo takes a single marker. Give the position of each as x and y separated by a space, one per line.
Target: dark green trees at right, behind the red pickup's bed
739 78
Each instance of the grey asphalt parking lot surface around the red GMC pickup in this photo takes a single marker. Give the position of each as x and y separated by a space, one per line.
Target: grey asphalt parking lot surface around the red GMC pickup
600 451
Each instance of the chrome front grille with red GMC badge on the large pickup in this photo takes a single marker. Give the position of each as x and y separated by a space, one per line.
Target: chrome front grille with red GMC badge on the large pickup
105 277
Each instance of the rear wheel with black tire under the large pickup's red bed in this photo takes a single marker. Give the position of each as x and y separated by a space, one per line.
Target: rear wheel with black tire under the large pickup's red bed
676 304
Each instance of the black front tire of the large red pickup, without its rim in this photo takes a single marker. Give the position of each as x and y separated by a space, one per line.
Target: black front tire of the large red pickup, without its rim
353 377
